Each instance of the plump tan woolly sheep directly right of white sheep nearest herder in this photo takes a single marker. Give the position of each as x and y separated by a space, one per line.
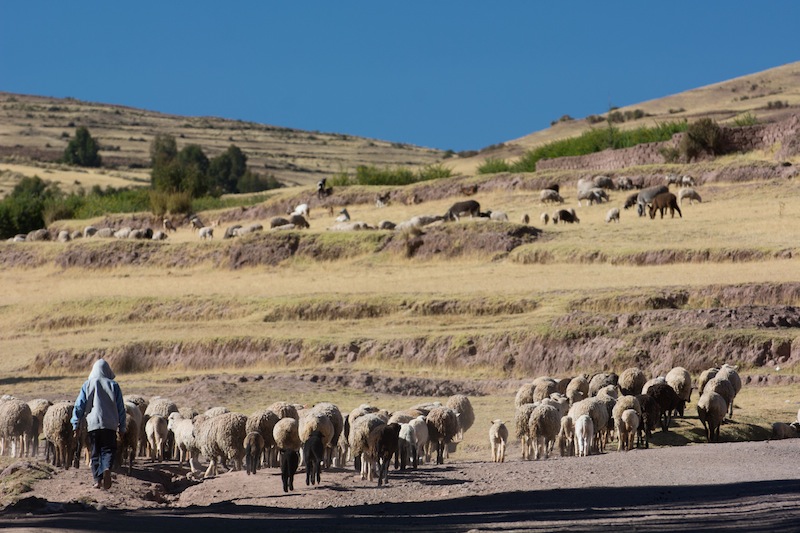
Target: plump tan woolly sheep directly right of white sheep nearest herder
221 437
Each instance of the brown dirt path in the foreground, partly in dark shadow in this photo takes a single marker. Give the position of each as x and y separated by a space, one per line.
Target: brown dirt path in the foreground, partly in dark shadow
743 486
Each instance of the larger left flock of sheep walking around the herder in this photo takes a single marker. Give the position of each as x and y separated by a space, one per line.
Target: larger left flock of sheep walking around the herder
284 434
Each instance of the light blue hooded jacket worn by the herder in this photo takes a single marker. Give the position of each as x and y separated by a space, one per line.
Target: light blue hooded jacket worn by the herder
100 400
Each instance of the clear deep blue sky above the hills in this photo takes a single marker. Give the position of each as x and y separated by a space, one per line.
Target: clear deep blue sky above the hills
445 74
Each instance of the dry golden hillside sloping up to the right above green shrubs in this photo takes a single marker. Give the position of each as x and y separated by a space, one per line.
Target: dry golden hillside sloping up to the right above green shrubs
757 94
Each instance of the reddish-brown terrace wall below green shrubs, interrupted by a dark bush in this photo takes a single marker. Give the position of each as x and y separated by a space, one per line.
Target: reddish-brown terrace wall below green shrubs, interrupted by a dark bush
740 139
